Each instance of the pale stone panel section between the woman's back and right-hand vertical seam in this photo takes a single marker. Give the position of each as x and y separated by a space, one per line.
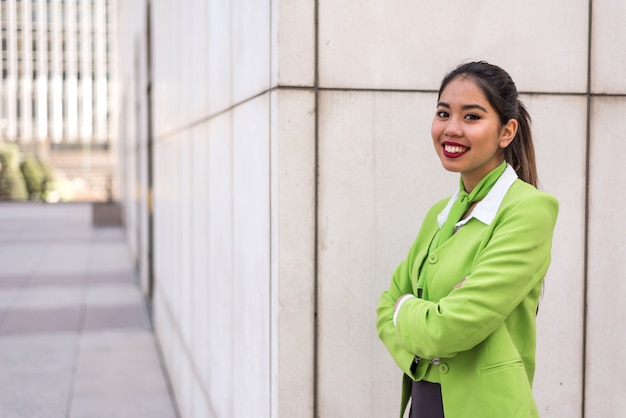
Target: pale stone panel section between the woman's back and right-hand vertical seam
560 149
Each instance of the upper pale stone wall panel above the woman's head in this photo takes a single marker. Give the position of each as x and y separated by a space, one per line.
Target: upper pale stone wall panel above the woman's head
411 45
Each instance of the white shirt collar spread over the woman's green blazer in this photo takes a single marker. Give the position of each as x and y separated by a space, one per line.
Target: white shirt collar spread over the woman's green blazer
487 208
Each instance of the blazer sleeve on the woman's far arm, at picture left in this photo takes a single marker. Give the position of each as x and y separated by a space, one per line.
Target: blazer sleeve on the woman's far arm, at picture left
401 285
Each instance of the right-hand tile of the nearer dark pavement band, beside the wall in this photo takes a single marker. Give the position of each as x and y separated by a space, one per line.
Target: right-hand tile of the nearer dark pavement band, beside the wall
111 317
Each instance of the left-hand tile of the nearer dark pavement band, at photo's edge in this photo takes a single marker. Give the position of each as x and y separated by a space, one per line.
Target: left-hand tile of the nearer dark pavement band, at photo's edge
28 321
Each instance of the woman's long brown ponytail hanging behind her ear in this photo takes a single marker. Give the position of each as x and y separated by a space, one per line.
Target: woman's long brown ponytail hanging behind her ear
520 153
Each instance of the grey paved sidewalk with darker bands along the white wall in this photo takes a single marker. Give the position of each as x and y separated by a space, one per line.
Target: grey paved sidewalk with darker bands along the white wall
75 338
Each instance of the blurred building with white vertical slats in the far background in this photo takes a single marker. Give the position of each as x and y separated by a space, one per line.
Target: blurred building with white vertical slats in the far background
56 89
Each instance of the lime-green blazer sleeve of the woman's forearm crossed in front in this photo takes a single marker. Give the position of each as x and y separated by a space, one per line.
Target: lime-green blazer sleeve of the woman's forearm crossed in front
514 260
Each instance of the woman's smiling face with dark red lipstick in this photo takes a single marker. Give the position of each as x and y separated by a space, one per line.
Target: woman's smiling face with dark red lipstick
467 133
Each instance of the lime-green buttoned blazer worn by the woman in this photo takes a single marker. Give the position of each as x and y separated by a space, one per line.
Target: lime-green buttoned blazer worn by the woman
483 332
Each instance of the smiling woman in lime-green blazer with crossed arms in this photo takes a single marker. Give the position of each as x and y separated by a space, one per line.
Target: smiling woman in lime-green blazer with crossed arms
459 316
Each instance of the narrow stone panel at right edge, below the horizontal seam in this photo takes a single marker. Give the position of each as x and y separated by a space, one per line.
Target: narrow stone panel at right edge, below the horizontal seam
605 334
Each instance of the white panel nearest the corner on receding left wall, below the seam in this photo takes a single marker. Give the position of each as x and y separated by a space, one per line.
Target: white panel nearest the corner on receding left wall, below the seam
251 252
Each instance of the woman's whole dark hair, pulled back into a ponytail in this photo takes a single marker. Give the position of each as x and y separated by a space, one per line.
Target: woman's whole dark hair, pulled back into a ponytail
500 91
